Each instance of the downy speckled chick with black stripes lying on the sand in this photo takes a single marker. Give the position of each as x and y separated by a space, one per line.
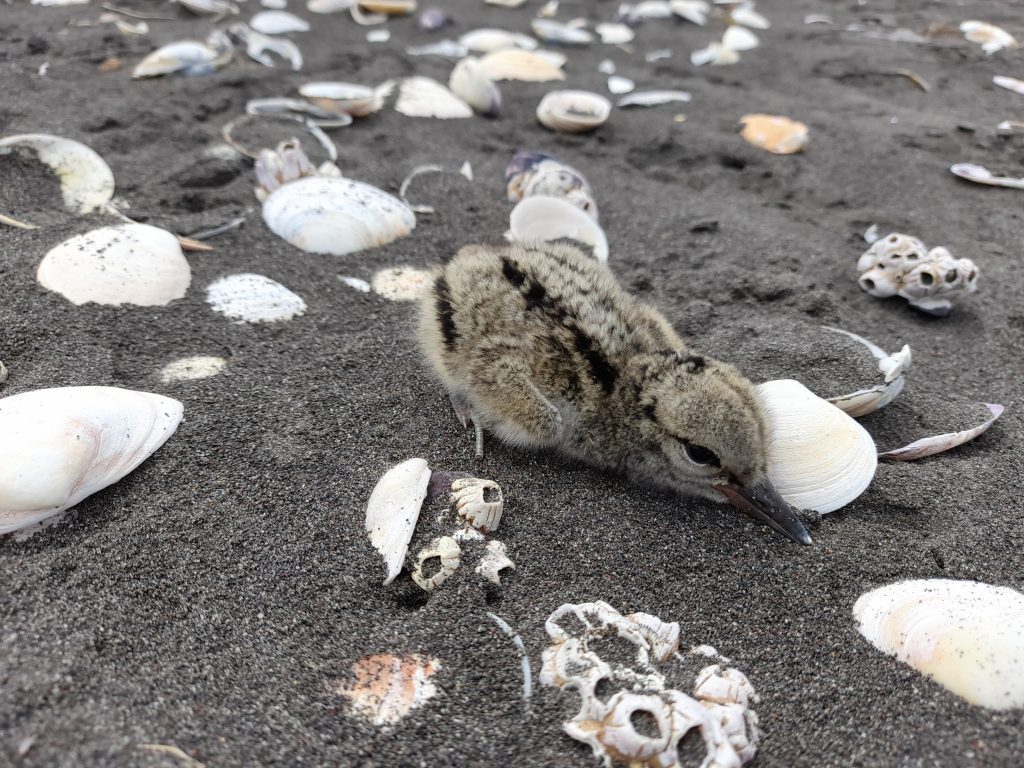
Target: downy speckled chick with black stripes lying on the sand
540 346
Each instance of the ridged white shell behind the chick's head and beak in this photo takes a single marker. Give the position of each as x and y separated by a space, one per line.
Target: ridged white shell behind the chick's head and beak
819 457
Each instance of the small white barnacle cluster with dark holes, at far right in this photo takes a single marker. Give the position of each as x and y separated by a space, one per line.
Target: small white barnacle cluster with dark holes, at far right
932 282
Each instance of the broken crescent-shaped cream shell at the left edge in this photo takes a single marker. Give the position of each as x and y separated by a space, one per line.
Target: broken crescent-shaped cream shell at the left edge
87 181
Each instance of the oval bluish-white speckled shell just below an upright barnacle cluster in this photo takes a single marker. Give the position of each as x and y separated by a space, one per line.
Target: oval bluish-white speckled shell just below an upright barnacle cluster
336 216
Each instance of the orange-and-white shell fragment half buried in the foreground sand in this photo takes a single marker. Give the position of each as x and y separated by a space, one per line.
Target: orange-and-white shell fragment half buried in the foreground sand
388 688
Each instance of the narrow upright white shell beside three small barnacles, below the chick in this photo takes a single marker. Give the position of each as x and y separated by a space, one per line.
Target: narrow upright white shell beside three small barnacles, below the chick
394 509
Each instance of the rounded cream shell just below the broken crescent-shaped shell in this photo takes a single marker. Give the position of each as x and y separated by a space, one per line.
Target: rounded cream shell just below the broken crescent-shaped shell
121 265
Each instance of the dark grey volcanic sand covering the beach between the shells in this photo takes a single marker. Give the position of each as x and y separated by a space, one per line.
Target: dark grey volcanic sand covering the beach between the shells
210 600
